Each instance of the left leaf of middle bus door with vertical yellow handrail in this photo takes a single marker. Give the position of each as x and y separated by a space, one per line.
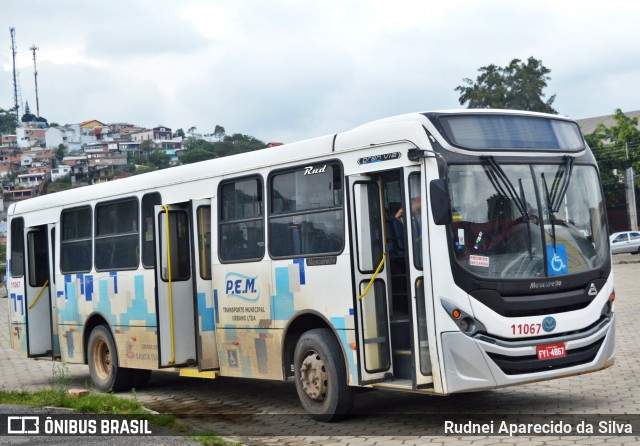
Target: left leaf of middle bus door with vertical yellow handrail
174 284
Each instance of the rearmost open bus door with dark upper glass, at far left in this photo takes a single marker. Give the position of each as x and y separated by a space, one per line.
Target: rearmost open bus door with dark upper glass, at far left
38 298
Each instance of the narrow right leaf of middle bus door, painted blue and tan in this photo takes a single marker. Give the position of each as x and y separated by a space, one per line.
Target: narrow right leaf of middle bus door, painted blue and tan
205 317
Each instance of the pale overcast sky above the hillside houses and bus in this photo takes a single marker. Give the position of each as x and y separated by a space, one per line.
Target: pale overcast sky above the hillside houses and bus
283 70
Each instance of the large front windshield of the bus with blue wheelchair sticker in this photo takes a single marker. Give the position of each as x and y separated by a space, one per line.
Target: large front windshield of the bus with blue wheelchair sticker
527 221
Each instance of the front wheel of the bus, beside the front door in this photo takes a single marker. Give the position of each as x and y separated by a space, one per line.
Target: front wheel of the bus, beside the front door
321 376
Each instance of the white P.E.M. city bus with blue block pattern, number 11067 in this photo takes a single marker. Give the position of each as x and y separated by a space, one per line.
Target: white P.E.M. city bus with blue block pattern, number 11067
295 262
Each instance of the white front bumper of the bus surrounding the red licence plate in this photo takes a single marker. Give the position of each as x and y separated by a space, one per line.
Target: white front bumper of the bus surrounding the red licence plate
482 362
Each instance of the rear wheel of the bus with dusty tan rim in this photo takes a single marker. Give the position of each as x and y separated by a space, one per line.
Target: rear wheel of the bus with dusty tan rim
103 362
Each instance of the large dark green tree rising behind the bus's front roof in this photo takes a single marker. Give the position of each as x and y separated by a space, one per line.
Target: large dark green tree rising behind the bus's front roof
517 86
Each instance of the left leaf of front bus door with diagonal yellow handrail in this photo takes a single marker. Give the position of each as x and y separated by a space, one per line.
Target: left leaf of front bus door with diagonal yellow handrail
372 303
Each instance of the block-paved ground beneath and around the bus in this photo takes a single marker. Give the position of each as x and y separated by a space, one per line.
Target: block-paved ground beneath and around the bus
263 412
